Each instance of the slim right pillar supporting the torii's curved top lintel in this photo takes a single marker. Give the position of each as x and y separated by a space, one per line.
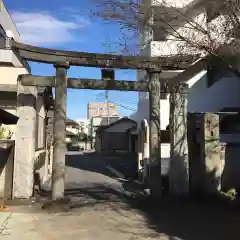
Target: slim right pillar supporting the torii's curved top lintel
155 140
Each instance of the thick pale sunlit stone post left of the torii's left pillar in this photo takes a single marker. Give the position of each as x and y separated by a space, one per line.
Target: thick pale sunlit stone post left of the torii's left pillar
23 176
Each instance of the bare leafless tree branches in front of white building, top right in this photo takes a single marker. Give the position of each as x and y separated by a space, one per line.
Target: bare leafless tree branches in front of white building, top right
178 26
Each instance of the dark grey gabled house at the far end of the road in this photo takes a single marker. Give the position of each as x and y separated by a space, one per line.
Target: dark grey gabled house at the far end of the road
117 136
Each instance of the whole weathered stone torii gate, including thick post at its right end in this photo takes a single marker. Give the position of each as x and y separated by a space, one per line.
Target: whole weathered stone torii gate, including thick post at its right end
62 60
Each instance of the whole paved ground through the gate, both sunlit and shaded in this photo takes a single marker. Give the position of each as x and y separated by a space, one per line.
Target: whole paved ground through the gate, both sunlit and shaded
104 209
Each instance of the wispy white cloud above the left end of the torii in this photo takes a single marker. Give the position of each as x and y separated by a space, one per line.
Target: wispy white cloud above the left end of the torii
42 28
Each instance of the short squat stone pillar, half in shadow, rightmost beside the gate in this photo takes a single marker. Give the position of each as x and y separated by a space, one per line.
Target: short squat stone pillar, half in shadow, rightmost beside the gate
206 153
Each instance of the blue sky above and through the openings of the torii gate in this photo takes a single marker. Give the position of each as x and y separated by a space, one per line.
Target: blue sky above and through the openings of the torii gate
68 25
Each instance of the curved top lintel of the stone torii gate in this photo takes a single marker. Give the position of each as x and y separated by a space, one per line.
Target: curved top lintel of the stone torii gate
54 56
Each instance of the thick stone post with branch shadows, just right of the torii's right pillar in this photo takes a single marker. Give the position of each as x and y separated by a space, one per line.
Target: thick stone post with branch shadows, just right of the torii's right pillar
179 164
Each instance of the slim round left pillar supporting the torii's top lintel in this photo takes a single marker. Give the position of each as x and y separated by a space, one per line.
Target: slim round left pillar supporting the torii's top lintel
59 132
